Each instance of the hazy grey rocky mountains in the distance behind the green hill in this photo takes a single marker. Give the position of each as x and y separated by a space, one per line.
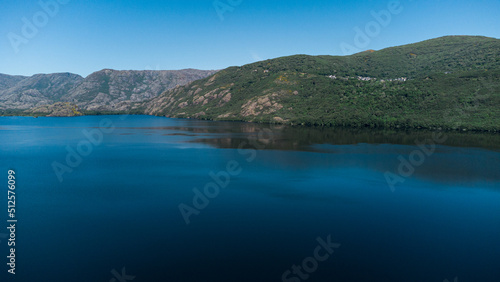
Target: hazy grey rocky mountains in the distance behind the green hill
100 92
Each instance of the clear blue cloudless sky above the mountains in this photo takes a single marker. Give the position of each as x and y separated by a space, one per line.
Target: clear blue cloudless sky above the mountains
87 36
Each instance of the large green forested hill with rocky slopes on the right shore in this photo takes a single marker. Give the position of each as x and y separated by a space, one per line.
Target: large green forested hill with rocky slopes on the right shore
449 82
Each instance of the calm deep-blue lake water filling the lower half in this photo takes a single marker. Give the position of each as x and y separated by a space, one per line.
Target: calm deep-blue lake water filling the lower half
116 203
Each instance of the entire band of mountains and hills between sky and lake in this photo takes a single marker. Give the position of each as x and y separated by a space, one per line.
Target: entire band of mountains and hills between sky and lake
450 82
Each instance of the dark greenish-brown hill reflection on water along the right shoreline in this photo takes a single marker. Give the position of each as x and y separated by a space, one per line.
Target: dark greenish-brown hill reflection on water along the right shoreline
283 137
